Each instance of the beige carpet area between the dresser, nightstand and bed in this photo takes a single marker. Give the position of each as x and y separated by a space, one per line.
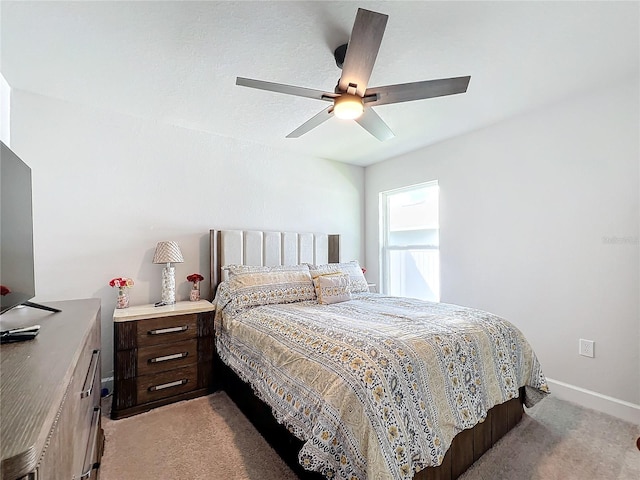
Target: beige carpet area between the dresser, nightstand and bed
204 438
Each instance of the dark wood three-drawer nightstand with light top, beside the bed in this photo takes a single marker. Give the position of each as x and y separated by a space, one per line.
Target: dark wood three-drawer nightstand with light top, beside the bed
161 355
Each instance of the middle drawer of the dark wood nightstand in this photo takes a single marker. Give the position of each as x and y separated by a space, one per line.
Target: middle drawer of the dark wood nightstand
160 358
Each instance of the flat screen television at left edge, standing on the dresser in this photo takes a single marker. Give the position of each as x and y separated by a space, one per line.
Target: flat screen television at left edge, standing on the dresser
17 278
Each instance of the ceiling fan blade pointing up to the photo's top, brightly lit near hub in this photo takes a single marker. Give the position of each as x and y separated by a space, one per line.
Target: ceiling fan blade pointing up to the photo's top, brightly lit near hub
366 37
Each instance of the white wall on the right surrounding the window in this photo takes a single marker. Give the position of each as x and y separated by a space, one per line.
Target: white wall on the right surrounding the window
540 224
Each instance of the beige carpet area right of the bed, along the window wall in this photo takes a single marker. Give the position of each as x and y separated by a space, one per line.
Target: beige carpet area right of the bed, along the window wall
558 440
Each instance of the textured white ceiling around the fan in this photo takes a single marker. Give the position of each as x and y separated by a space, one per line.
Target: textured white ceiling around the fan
176 62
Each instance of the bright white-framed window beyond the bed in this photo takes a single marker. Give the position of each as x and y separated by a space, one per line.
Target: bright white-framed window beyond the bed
410 262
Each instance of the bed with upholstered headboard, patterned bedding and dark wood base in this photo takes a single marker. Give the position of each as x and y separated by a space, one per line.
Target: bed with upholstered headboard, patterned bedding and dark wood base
355 385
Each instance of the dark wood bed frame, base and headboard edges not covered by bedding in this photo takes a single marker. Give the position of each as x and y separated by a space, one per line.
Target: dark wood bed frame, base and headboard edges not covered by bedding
468 446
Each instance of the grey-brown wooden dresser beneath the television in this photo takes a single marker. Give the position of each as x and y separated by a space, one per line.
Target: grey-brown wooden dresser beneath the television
50 394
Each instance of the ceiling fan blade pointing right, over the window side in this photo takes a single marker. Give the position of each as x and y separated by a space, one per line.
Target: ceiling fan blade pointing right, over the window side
406 92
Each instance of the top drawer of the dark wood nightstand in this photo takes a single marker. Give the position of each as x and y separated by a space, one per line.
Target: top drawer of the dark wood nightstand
167 329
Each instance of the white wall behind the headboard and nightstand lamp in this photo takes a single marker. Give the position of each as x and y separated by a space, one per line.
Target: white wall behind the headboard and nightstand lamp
108 187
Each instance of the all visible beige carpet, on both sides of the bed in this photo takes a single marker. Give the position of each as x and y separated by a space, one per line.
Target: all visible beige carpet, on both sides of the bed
209 438
